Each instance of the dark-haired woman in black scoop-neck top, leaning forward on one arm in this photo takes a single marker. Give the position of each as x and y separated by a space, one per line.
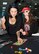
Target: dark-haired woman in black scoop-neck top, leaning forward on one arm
12 22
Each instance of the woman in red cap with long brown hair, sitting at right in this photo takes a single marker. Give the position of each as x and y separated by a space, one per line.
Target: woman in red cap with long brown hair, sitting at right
30 24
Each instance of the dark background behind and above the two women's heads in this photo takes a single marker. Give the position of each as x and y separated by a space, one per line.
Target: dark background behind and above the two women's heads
33 4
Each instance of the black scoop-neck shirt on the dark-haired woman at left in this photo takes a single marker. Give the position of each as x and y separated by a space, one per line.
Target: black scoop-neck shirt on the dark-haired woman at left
12 29
